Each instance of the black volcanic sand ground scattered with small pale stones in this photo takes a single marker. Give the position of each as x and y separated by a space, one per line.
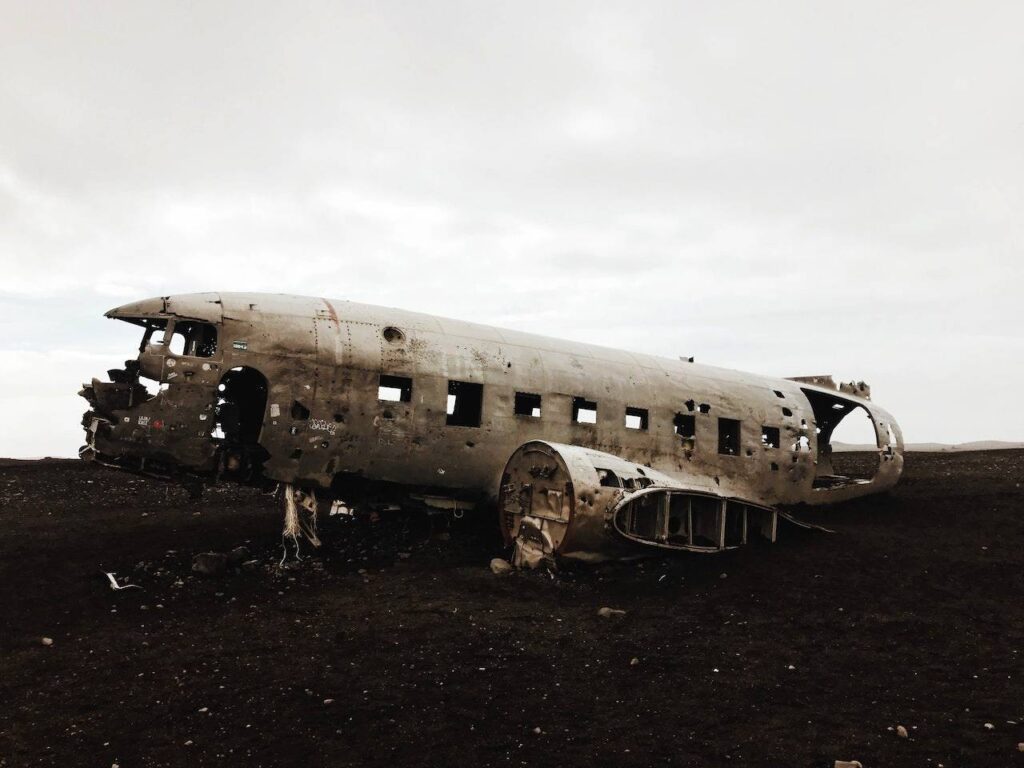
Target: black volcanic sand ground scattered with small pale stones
397 648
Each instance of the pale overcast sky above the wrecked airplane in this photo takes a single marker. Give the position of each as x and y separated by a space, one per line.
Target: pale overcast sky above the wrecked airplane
789 189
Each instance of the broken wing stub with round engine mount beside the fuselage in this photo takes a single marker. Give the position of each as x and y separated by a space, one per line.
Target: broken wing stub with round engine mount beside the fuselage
571 502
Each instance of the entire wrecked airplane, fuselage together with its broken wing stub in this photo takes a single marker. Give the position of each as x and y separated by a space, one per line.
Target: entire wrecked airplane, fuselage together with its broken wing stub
586 452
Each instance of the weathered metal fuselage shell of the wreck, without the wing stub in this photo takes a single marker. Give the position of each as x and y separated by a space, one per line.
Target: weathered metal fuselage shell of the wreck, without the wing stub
323 362
